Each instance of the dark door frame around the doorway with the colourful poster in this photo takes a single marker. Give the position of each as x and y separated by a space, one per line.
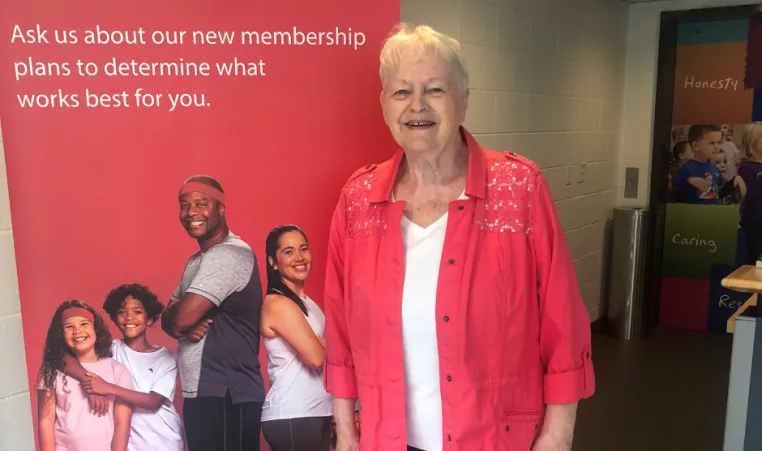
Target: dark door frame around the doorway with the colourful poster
661 140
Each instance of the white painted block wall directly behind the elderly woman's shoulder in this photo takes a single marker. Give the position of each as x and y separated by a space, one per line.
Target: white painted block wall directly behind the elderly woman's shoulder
547 83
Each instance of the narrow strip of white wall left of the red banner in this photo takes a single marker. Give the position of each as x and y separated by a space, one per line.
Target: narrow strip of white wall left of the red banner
15 411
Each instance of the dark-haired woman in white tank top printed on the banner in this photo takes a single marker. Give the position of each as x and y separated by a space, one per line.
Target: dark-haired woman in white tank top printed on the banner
297 412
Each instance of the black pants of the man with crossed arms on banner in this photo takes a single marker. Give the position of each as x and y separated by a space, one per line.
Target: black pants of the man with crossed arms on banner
216 424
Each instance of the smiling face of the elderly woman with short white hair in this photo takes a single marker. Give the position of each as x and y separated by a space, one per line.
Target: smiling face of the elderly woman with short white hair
423 106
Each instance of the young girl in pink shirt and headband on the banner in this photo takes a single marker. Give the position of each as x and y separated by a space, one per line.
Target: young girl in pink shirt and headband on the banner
64 419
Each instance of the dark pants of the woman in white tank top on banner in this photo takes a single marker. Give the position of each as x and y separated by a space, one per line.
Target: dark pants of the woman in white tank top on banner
298 434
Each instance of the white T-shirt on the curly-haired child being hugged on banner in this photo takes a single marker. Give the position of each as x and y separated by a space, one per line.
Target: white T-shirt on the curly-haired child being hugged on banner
152 372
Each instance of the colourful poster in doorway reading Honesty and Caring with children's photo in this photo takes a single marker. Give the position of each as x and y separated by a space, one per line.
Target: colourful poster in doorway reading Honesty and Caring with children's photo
711 110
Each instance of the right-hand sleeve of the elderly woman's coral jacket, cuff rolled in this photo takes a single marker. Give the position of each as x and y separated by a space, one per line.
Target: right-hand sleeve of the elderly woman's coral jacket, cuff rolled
565 342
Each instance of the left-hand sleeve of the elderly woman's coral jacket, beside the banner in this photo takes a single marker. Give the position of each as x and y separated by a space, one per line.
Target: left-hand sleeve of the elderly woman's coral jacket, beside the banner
339 376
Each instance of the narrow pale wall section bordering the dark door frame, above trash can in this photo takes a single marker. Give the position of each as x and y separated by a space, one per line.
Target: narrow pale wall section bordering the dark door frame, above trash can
640 87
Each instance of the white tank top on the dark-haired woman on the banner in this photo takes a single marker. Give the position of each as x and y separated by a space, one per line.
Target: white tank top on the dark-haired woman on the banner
296 390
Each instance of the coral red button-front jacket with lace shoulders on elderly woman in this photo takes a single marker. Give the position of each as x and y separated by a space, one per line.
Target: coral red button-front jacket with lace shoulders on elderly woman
513 332
